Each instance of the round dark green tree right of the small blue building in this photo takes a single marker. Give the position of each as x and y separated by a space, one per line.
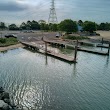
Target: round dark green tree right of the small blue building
89 26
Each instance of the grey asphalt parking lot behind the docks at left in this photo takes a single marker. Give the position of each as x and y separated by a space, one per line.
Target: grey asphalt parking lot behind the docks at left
32 36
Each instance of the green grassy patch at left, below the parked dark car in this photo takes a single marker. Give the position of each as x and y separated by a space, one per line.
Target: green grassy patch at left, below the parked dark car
8 41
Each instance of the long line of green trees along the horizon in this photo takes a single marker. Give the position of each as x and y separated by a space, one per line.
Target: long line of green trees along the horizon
66 25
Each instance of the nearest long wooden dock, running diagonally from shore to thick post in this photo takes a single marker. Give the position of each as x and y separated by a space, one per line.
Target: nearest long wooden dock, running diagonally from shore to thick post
48 52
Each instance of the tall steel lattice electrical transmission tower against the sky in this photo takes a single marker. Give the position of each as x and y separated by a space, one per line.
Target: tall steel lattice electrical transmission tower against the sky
52 16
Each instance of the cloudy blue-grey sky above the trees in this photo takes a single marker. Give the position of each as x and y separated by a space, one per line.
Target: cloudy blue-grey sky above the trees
17 11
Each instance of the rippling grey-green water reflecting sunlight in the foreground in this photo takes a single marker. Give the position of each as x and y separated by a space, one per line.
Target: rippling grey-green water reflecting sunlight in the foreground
35 81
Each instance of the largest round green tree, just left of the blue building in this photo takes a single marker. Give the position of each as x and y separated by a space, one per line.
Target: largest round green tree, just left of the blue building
68 26
